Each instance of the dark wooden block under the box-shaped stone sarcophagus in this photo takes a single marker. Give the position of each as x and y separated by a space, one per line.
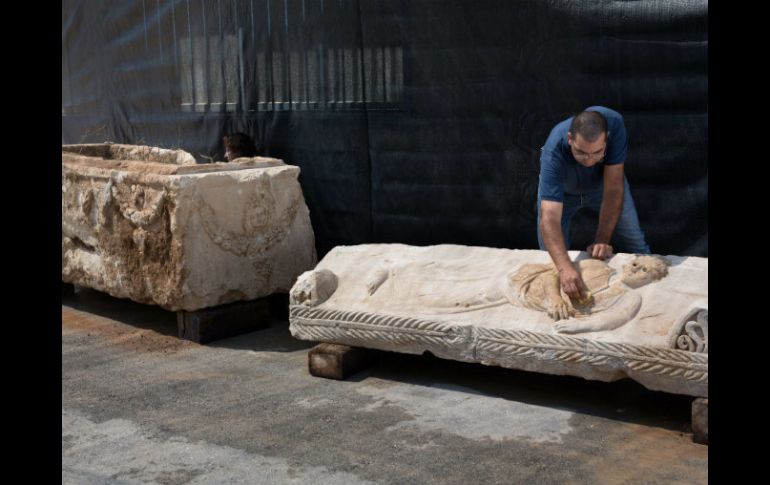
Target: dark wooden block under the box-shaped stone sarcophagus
209 324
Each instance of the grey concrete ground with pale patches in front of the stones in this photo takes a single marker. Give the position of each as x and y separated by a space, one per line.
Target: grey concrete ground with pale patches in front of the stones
141 406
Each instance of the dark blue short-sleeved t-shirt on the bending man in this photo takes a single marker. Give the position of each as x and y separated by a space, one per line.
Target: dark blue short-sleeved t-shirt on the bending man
561 174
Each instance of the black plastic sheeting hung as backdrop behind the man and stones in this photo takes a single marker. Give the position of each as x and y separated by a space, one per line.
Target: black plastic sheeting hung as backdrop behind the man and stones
418 121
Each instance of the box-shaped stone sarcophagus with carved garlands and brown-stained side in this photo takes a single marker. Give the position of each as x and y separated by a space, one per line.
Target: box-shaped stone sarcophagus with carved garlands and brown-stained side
151 225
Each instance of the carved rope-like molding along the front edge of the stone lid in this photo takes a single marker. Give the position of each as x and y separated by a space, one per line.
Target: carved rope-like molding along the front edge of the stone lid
329 325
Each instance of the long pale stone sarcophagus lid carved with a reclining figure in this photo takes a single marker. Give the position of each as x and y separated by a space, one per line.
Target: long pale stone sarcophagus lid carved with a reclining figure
644 317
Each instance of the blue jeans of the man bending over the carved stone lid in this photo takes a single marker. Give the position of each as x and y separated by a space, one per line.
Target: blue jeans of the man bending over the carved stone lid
628 236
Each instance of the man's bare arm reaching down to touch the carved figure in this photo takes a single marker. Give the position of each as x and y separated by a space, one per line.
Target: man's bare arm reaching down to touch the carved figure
550 228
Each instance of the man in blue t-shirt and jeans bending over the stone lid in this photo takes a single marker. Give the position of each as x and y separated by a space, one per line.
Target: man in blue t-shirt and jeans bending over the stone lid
582 166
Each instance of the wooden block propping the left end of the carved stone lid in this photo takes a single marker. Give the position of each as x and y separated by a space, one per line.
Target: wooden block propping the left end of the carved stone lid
334 361
